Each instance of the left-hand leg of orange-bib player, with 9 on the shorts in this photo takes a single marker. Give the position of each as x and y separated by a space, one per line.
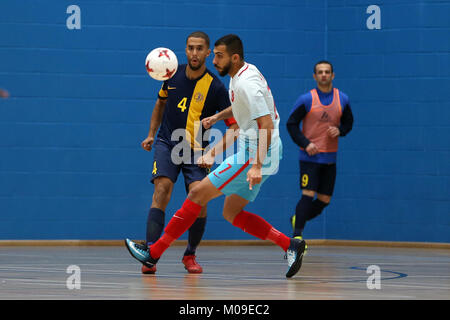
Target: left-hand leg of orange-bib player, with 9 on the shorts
309 180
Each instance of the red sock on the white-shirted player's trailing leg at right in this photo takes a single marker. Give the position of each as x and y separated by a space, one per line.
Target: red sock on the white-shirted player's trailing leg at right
260 228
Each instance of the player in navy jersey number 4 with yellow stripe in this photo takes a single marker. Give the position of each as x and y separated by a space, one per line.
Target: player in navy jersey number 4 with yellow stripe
192 94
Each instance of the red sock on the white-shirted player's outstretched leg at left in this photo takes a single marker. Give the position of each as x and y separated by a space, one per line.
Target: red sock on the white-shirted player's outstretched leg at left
180 222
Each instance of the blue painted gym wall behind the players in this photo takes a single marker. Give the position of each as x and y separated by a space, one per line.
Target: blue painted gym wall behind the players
71 166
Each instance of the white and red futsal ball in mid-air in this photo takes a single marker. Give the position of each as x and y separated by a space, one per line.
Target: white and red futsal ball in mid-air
161 64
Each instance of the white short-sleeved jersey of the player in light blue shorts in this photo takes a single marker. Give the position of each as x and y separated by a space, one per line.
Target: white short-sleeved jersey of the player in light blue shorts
251 98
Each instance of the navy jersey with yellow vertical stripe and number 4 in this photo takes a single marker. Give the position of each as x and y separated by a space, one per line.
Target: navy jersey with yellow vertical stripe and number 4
189 101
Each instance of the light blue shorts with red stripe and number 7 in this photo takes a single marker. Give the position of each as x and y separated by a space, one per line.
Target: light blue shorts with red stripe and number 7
231 176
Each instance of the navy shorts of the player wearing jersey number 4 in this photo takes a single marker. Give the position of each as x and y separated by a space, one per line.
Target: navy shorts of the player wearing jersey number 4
163 165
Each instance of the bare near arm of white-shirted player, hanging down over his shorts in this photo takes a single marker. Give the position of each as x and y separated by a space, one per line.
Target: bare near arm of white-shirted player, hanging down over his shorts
265 125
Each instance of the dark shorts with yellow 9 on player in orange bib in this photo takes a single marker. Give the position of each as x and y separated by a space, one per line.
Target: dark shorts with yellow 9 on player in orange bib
318 177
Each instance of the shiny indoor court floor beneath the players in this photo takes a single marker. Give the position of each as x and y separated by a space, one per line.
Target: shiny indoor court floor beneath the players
230 273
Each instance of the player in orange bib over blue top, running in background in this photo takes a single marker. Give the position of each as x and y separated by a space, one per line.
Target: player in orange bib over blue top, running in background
326 115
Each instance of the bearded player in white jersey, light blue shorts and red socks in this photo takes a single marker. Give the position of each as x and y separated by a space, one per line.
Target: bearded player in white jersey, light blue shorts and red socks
241 175
